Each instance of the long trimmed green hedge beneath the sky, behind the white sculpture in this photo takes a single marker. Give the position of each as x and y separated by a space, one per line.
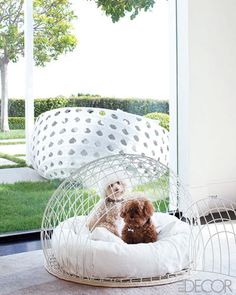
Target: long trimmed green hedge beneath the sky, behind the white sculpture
133 105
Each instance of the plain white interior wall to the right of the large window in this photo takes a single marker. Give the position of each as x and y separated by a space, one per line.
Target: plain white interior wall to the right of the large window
207 97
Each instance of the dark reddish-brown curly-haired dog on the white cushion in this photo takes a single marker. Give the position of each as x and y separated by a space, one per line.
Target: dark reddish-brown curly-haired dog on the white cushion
138 226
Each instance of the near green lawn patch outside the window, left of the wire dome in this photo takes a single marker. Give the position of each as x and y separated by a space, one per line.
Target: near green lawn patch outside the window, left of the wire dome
22 204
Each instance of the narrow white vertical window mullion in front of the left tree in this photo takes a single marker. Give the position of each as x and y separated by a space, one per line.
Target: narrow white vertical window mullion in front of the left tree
29 101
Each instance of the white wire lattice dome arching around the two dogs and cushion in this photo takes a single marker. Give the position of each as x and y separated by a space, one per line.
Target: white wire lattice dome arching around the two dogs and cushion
79 194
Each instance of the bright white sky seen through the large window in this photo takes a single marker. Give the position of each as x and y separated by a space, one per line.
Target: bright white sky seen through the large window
125 59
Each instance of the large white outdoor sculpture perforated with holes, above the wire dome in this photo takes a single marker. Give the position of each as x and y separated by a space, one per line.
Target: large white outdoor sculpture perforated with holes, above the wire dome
65 139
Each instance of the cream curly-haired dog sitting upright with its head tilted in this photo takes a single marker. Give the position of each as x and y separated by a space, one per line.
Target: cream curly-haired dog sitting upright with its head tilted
107 212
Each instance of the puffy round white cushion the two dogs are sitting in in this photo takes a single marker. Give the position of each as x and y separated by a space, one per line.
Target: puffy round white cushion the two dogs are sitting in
82 253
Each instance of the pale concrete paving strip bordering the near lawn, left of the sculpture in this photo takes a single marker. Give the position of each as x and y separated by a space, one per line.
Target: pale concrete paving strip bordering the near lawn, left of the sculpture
12 175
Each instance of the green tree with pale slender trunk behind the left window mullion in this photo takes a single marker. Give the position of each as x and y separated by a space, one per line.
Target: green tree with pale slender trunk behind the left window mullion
53 36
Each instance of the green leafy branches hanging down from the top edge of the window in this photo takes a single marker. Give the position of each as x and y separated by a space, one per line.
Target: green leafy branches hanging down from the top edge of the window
119 8
